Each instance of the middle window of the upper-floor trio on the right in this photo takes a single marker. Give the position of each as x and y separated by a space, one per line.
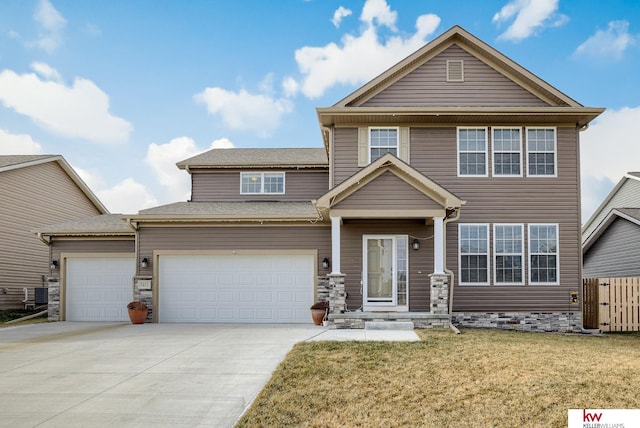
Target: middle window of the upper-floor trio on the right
507 152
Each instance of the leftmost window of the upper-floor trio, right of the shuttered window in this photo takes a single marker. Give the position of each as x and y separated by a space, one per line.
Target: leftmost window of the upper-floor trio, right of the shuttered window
472 152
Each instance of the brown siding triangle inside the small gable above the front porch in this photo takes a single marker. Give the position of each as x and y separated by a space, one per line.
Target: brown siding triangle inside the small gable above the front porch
387 192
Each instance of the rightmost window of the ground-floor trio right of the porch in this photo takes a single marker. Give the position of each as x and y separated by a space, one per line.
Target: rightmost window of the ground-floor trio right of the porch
544 266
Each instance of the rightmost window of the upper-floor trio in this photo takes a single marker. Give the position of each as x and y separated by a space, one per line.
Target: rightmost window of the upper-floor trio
541 152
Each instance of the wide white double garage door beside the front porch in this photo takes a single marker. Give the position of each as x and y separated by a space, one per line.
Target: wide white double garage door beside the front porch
236 288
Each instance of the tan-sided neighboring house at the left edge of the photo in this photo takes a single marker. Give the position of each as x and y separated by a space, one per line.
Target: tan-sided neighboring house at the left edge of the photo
35 190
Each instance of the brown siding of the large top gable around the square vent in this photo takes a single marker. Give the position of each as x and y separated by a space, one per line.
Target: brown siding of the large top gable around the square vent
427 86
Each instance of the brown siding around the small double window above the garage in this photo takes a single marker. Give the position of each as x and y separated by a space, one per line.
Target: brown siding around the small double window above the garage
225 186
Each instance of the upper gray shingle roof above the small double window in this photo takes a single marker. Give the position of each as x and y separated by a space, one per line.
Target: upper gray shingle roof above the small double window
227 158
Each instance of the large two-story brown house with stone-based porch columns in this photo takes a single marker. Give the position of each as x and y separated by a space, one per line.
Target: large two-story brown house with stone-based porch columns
447 190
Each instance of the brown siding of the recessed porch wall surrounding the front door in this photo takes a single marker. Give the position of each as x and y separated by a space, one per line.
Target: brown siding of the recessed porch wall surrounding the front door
420 261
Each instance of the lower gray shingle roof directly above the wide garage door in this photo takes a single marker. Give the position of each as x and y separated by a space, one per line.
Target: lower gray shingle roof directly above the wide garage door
246 210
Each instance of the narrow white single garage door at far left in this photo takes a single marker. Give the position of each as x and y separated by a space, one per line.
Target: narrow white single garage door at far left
98 289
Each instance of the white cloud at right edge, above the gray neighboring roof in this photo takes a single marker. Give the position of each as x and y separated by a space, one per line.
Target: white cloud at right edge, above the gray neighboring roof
609 149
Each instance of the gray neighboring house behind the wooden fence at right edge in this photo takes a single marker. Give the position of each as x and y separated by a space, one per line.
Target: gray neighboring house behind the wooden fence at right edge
610 237
